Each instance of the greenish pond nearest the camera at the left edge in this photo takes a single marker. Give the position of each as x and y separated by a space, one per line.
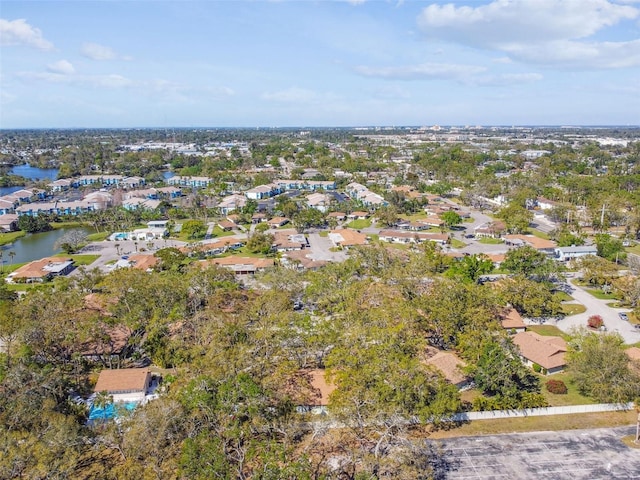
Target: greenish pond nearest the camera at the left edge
35 246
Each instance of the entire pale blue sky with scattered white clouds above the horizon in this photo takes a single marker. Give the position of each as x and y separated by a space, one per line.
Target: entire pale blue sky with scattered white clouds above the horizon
319 63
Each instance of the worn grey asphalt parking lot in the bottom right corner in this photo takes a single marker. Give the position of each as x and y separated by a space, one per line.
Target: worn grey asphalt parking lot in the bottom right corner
577 454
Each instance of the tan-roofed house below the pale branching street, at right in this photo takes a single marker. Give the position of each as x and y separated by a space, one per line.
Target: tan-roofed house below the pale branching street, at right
548 352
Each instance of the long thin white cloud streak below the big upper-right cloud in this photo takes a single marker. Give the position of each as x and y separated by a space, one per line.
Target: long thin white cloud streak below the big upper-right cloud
423 71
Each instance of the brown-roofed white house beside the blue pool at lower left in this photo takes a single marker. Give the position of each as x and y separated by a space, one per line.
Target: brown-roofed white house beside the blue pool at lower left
125 385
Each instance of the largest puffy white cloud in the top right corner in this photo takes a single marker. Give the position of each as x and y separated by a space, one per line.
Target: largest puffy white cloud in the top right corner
545 32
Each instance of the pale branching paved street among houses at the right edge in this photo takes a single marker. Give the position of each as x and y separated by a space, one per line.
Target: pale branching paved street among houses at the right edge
599 307
